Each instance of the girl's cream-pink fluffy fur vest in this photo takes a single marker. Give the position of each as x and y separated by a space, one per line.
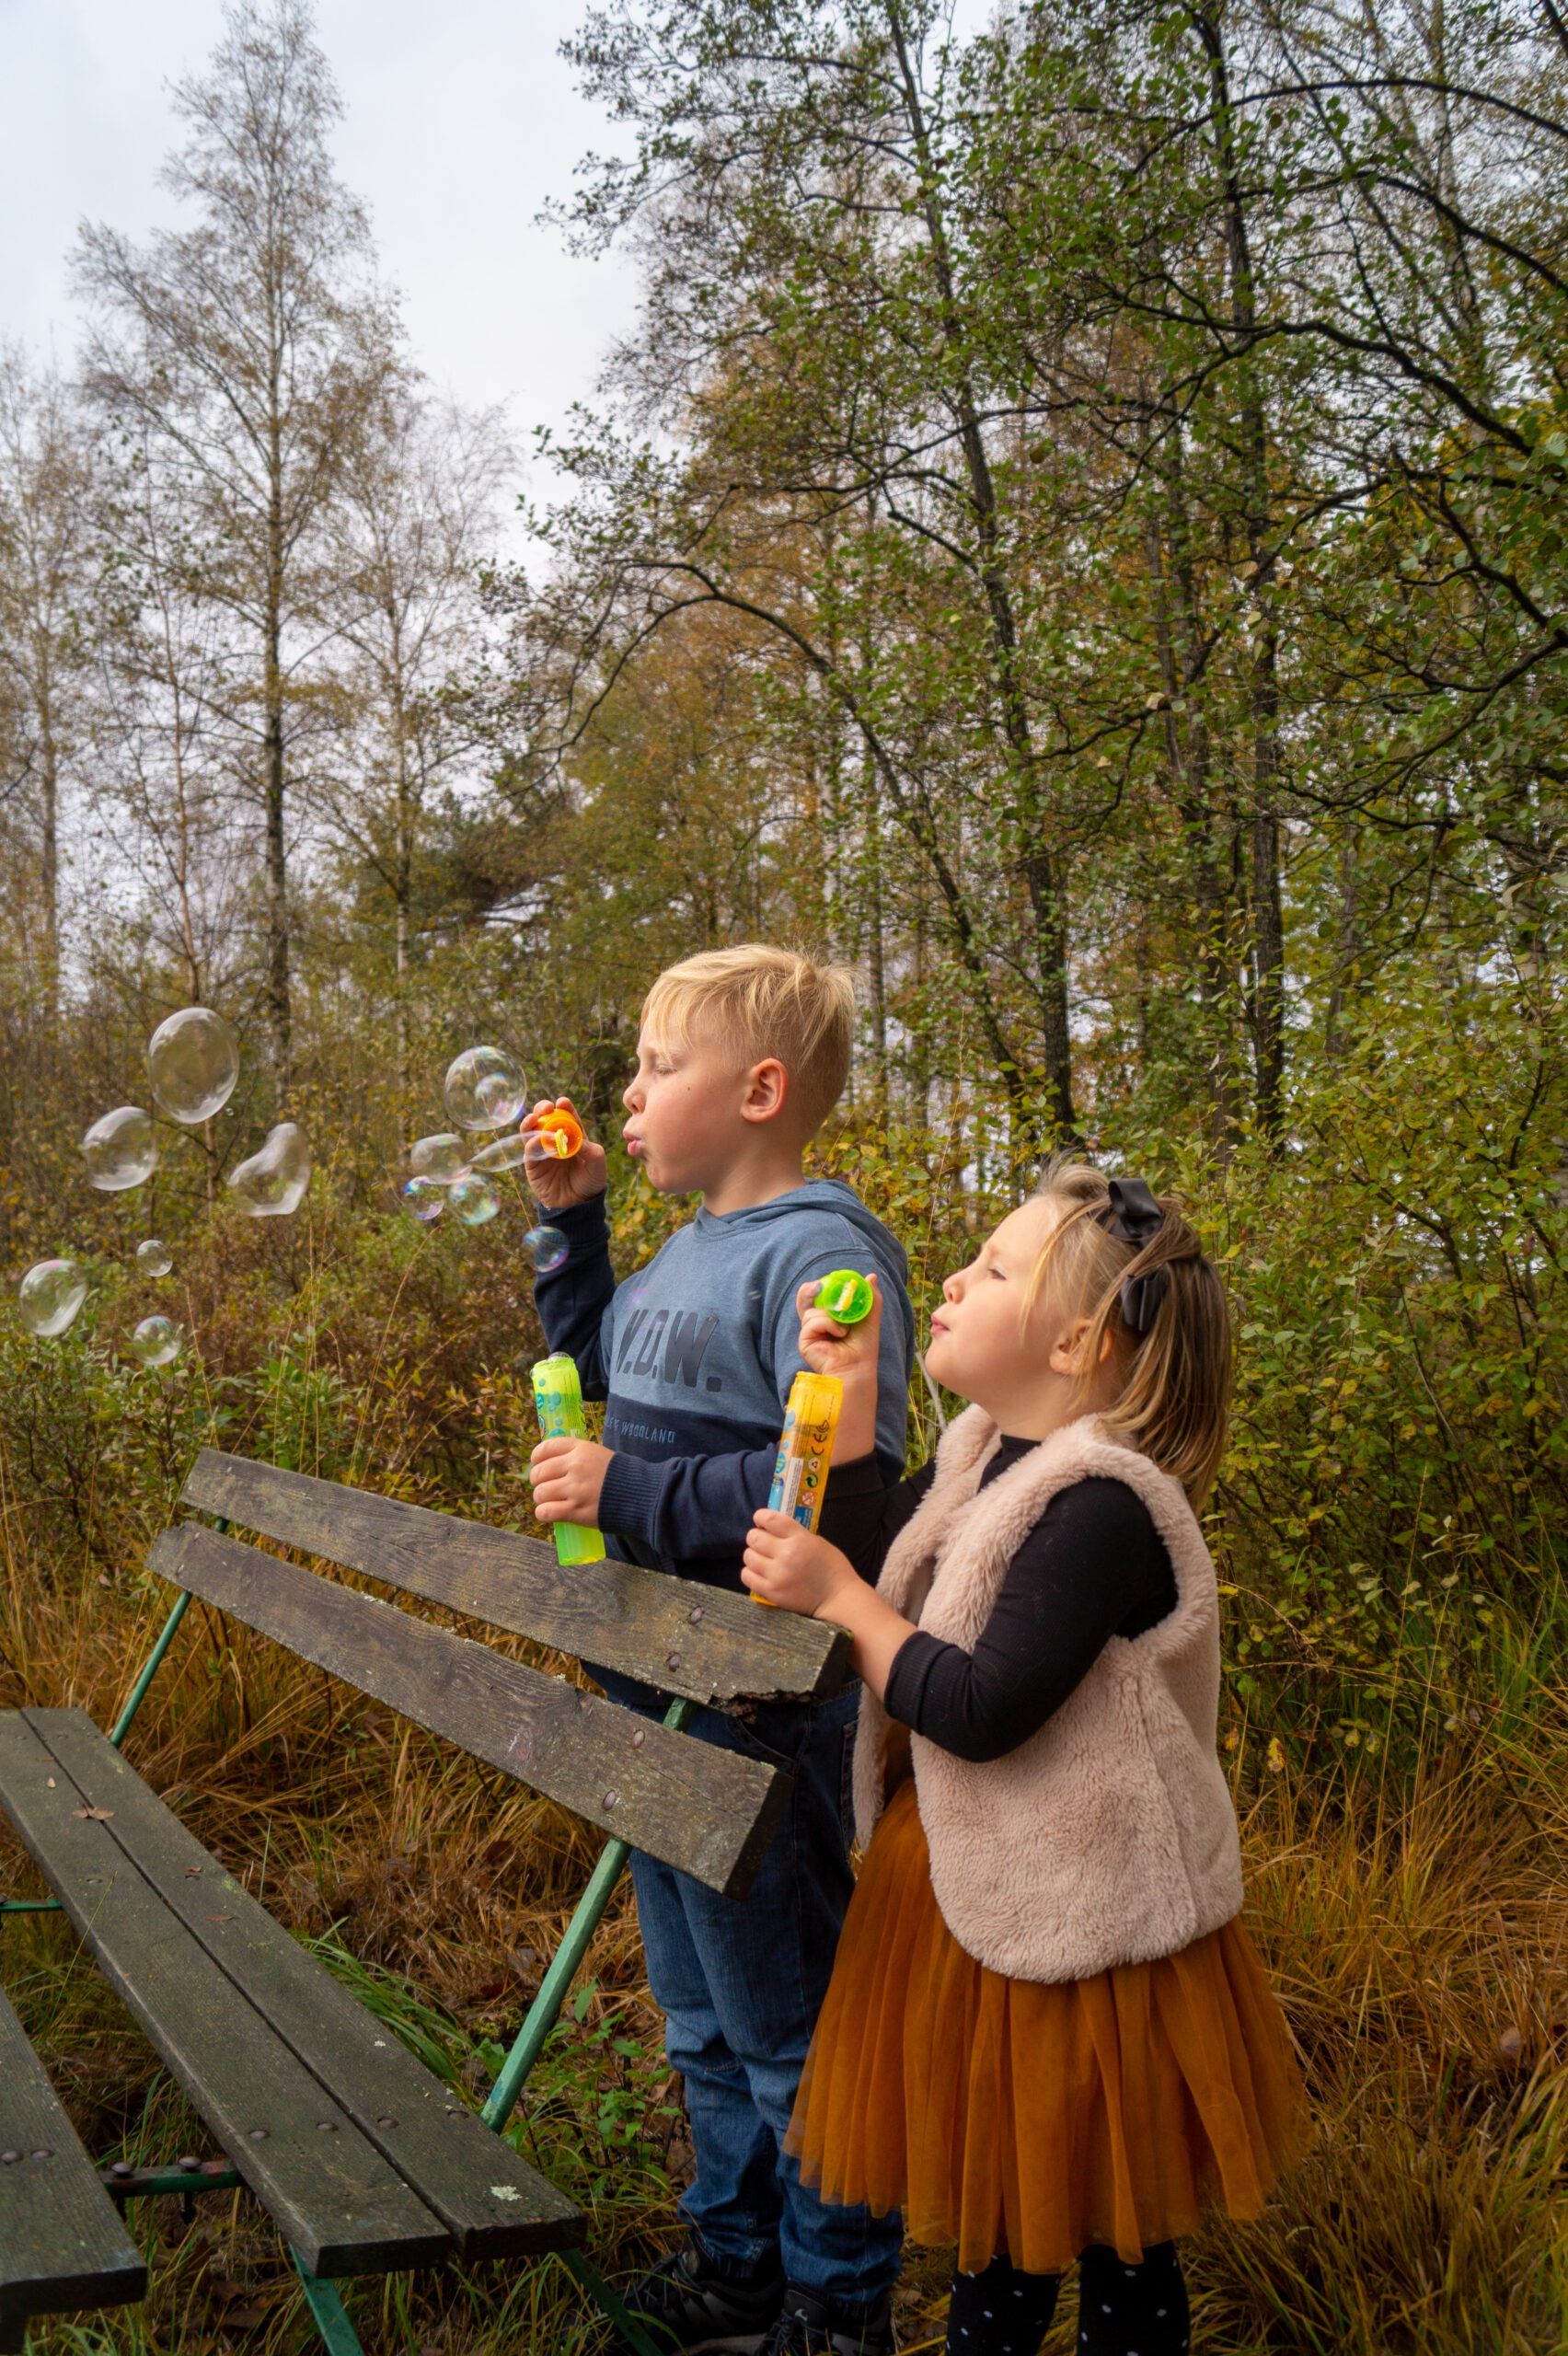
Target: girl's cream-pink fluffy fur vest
1108 1837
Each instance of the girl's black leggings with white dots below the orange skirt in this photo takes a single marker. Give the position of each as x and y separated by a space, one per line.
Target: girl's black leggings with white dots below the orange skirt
1122 2310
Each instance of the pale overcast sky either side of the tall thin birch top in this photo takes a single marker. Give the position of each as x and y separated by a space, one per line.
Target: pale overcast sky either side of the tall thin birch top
460 121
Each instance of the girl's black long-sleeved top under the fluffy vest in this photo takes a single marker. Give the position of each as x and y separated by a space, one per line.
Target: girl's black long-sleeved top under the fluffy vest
1089 1570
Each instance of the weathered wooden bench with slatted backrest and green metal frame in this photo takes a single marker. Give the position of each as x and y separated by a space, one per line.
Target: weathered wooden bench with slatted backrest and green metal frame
361 2157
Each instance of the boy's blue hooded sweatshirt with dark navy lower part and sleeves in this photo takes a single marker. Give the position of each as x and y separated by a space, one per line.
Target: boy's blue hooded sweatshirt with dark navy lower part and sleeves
696 1356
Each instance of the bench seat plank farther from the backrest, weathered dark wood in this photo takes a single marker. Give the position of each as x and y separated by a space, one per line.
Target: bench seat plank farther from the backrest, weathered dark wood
333 2195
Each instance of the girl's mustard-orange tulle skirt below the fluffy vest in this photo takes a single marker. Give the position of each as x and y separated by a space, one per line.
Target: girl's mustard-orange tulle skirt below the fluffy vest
1002 2115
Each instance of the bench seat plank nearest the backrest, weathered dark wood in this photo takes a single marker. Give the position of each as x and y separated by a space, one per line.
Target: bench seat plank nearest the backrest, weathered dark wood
484 2192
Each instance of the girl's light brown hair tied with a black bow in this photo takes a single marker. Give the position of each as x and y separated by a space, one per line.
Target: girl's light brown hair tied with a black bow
1136 1269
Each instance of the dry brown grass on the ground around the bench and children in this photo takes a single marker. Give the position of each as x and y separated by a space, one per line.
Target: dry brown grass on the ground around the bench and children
1416 1921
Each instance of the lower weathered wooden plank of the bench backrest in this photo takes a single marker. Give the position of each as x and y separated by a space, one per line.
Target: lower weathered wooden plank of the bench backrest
710 1813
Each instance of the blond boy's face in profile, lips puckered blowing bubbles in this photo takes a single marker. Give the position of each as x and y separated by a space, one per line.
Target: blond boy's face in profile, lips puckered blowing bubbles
693 1111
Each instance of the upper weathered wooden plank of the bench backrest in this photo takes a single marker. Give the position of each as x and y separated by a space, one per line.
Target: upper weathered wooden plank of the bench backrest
606 1613
